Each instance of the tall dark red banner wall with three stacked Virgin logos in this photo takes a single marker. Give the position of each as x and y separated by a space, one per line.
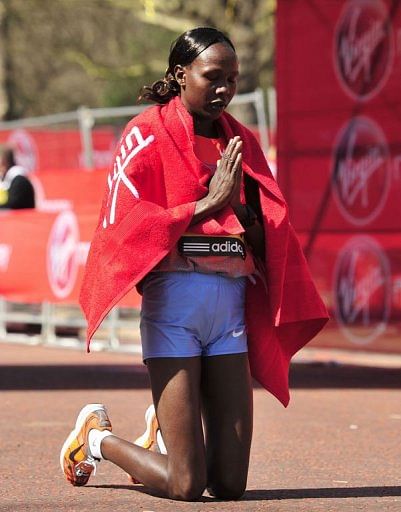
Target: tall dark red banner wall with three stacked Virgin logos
339 155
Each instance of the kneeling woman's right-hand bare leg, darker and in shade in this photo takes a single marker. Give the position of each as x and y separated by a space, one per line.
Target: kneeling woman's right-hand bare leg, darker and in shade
228 411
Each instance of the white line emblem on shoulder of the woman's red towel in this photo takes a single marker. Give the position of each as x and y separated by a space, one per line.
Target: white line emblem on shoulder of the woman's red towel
131 145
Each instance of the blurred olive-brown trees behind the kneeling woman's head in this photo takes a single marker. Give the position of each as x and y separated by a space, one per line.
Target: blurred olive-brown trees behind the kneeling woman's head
56 55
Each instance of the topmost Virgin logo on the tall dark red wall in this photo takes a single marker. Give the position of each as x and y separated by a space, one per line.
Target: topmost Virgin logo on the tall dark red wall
363 49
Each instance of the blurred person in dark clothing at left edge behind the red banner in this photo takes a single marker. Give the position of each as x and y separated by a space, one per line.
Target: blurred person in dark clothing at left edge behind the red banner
16 191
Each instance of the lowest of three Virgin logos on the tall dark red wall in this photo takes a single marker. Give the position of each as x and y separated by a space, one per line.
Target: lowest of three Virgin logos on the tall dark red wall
362 290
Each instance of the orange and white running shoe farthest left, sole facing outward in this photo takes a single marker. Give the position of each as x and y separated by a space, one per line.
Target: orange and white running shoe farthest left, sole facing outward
76 460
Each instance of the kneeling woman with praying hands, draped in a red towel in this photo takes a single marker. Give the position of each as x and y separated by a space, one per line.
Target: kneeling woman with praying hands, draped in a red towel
193 217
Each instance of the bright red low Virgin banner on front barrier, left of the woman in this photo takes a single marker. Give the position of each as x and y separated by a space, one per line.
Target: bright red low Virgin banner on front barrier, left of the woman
42 255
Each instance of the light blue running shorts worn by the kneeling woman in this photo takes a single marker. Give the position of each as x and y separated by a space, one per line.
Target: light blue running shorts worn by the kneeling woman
186 314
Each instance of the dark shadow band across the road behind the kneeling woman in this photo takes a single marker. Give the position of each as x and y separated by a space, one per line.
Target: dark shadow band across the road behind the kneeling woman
131 376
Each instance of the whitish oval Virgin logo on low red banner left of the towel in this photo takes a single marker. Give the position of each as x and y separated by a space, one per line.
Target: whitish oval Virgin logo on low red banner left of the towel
62 254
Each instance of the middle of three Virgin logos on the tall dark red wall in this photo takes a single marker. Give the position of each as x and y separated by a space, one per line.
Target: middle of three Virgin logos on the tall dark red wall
361 170
